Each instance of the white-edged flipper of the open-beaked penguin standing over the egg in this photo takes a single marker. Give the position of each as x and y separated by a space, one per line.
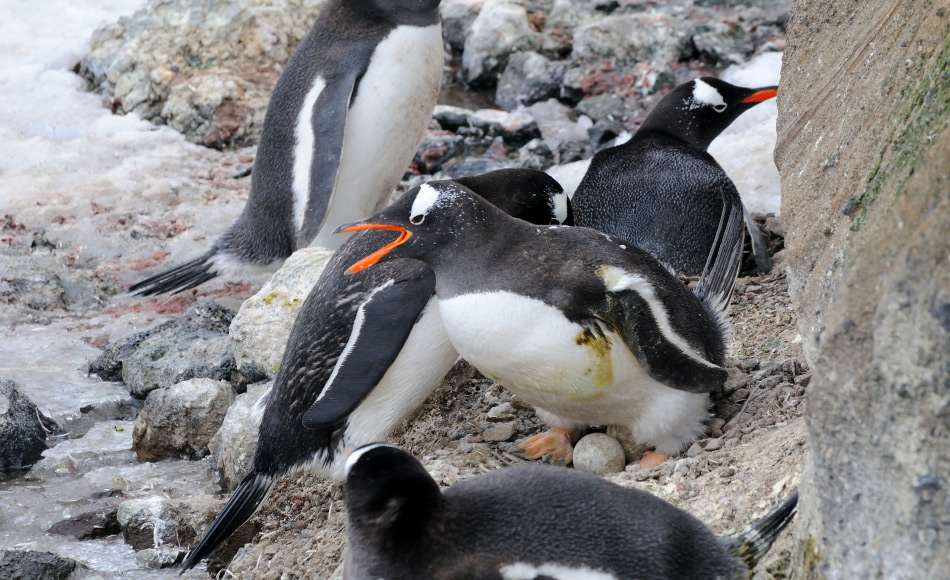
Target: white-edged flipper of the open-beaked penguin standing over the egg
643 322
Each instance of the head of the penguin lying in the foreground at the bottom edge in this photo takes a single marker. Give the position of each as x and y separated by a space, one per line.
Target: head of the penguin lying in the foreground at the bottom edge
388 494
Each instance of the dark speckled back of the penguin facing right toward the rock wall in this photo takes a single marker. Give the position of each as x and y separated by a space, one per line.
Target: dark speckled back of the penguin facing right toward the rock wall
659 193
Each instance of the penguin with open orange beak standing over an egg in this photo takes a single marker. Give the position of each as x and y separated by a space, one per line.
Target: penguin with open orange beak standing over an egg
589 329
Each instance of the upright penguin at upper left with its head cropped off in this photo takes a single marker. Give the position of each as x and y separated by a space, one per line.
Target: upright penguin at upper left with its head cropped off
342 126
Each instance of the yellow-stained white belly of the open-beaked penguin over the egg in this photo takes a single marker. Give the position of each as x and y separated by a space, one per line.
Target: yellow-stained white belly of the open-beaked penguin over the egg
532 349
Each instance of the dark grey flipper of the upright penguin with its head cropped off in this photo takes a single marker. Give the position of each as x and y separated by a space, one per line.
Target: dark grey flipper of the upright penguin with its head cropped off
329 124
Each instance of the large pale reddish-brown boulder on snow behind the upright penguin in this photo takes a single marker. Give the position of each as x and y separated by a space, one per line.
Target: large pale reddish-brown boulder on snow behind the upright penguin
204 68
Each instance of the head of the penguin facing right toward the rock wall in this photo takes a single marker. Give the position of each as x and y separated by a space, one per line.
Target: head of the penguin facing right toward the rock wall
698 111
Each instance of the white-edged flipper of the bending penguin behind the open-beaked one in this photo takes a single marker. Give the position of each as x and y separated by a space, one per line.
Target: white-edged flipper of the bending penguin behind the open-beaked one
383 323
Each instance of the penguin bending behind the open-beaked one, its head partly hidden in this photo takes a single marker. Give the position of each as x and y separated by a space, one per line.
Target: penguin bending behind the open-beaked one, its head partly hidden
367 349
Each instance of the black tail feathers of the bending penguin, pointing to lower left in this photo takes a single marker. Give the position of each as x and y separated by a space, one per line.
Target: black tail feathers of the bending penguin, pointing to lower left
246 499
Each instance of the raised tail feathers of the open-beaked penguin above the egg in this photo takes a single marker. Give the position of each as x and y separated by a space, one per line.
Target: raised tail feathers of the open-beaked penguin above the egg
722 266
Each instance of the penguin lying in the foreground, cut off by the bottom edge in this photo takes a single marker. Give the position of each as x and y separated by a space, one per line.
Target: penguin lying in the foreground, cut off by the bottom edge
530 522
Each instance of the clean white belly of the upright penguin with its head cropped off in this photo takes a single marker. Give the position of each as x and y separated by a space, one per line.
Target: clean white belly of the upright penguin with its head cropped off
385 124
